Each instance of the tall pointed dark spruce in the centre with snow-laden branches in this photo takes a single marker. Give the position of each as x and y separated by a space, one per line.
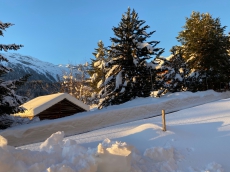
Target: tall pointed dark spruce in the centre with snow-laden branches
128 73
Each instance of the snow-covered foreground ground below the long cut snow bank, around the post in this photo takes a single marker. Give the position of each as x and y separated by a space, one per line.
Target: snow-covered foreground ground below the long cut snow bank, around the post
197 140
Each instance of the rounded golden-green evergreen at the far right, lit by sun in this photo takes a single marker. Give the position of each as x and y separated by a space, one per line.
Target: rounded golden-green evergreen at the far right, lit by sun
205 48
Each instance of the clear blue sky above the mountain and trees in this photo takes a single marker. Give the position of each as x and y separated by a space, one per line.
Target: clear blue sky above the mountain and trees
67 31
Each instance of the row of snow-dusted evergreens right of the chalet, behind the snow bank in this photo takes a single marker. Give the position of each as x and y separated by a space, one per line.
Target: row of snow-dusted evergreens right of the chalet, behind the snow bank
133 67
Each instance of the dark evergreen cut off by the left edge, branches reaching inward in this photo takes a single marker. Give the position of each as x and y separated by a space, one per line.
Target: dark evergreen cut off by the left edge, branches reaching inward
9 101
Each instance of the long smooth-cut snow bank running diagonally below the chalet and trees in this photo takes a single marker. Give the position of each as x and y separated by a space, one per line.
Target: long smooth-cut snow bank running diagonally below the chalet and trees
139 108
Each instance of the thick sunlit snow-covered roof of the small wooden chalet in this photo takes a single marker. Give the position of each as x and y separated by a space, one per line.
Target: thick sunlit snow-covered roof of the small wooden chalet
39 104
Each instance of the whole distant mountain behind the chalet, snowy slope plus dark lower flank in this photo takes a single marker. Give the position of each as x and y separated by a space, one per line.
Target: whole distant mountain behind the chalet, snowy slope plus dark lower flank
45 77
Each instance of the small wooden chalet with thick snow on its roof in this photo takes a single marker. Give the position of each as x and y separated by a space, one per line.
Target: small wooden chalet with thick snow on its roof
53 106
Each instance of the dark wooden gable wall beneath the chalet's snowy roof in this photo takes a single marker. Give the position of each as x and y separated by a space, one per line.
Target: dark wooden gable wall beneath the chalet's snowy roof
60 109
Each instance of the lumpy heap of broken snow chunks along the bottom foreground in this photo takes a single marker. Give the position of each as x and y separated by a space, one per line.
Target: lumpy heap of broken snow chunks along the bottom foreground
58 155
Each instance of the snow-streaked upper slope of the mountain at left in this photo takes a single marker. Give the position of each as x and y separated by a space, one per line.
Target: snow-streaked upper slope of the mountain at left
39 70
